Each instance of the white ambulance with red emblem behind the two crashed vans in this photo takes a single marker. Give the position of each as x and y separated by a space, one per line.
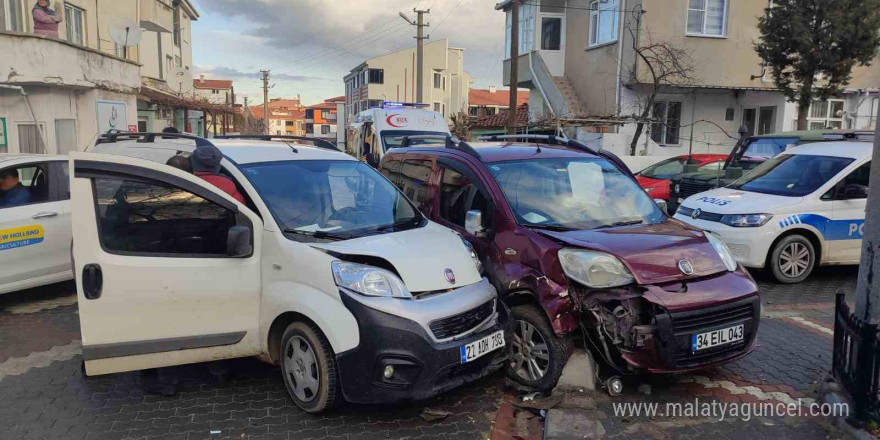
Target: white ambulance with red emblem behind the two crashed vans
378 130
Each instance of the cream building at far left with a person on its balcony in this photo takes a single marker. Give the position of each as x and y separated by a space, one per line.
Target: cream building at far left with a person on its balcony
58 94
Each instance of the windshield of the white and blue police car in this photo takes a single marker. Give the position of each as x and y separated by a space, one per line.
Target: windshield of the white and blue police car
793 175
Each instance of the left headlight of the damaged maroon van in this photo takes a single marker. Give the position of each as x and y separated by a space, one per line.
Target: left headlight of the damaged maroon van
594 269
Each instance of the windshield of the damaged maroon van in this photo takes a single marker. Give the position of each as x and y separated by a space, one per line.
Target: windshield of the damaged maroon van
573 193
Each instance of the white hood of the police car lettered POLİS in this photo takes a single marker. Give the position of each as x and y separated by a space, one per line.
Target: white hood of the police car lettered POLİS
734 201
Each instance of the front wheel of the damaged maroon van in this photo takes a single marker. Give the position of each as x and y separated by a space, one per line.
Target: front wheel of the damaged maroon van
558 350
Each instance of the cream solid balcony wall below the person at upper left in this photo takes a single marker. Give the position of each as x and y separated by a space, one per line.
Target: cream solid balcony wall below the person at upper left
37 60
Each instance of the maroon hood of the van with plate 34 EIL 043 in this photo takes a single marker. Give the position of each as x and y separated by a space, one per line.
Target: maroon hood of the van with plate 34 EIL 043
650 252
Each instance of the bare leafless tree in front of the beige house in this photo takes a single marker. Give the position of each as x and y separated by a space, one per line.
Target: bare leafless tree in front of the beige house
666 65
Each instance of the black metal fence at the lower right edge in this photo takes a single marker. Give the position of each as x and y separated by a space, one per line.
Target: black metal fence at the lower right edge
856 360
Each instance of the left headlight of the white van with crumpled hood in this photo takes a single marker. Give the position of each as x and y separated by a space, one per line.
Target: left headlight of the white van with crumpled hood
369 280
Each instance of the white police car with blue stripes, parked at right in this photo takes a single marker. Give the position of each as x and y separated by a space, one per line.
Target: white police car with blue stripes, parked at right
802 208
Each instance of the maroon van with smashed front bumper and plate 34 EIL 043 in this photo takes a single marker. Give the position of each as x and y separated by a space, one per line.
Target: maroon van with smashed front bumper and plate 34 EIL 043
577 249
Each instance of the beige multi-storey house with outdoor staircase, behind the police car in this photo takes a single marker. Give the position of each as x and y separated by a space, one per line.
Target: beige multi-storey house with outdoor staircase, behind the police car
577 58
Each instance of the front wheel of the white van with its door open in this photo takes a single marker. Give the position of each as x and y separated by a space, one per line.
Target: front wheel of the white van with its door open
308 366
